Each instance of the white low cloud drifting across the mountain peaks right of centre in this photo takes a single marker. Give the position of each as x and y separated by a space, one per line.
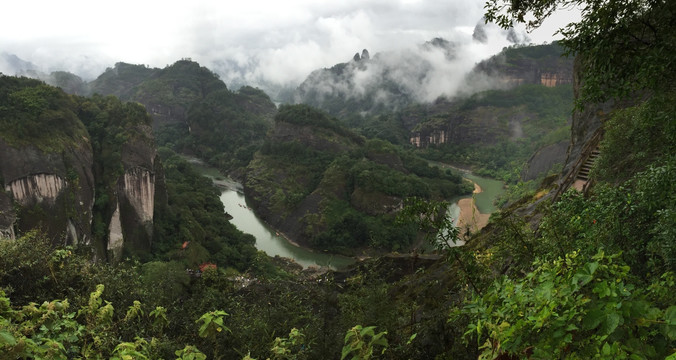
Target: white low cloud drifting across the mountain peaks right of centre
421 73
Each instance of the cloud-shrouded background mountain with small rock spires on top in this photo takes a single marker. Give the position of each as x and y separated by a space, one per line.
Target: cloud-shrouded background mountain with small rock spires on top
381 83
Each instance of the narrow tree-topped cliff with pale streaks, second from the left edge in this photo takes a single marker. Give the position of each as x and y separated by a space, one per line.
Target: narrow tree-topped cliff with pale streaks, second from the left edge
125 169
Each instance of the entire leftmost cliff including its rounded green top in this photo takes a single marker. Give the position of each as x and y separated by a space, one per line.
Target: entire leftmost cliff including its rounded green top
45 162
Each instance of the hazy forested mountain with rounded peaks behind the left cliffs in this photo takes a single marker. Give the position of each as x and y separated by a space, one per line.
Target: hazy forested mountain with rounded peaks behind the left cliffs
193 111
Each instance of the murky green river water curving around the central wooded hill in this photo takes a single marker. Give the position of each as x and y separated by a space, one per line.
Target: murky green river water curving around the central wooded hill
274 243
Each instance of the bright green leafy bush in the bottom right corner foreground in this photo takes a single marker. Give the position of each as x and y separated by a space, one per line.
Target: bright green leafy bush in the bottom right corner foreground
570 308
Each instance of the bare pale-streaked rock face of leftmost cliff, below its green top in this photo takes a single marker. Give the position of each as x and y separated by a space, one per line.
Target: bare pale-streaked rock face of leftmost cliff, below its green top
53 191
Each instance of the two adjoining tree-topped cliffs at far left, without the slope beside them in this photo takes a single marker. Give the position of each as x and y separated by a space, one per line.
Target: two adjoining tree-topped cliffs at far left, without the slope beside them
83 170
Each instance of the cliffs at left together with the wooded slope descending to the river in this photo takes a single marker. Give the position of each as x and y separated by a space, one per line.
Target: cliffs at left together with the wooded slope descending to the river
70 164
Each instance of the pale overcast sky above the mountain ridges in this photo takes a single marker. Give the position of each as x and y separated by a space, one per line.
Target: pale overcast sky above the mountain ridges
253 40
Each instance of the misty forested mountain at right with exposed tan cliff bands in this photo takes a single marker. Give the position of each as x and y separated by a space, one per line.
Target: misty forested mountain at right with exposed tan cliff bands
497 131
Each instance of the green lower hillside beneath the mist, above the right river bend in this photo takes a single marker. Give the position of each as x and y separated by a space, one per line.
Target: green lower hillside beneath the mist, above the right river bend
494 132
